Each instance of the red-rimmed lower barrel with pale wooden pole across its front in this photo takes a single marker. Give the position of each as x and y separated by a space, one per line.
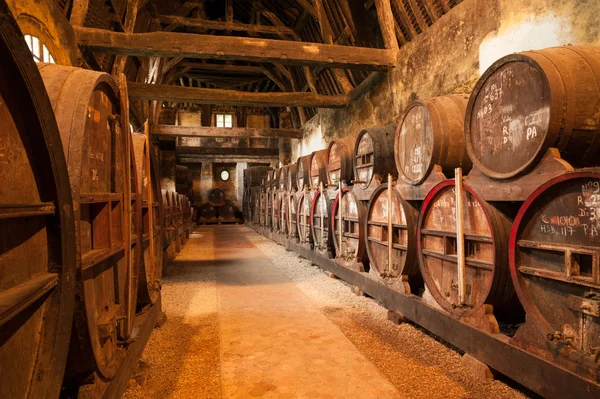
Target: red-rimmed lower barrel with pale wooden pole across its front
486 233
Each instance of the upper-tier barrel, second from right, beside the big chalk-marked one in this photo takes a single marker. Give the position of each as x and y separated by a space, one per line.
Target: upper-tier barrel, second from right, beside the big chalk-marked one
431 132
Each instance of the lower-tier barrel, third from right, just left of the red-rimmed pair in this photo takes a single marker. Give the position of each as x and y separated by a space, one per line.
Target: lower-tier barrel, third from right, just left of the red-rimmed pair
404 217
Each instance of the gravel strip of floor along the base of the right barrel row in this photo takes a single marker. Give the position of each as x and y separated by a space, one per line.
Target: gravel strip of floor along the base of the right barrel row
416 363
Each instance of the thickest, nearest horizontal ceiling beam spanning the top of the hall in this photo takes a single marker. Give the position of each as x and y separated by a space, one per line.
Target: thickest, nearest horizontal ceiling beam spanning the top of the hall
168 44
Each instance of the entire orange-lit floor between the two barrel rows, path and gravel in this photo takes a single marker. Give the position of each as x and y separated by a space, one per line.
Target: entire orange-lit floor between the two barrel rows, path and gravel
248 319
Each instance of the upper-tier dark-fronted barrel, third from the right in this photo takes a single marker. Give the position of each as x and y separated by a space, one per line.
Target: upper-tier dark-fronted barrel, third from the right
374 156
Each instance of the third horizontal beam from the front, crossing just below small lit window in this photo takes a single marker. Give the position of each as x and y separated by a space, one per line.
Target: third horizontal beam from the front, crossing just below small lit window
193 131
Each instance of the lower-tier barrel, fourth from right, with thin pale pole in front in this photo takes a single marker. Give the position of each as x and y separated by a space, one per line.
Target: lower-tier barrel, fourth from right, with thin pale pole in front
350 250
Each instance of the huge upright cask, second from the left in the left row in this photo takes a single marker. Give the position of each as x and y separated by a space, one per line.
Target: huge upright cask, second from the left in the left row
88 113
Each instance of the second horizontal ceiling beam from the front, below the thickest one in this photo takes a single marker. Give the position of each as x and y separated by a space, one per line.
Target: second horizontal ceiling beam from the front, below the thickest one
142 91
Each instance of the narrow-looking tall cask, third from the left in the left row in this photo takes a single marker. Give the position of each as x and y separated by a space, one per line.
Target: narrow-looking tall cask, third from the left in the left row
152 220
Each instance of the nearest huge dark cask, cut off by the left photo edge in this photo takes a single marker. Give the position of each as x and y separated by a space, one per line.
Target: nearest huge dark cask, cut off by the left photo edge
37 230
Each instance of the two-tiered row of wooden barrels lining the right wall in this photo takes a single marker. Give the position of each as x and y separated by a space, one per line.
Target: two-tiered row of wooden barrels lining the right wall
521 231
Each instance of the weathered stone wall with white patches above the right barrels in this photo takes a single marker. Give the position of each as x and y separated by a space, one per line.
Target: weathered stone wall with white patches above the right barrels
451 55
